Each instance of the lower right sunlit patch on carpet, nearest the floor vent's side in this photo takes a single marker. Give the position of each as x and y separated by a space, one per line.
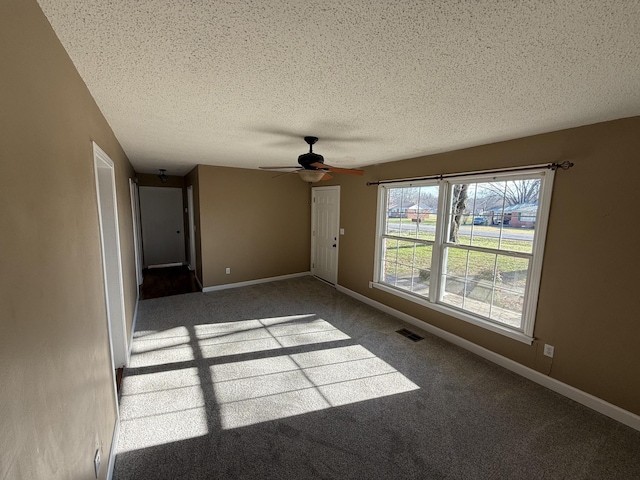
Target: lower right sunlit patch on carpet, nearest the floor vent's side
255 391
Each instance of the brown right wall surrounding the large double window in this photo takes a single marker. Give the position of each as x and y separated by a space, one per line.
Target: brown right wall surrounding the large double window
589 278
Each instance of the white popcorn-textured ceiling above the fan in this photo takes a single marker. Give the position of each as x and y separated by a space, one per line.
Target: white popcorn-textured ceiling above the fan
239 83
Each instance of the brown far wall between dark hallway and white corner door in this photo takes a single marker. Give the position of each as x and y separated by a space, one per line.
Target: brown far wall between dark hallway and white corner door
257 225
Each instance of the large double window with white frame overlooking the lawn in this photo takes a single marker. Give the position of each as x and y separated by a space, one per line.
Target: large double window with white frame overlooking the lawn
470 246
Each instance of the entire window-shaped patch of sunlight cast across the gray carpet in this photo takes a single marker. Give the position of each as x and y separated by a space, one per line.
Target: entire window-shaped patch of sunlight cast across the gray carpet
185 381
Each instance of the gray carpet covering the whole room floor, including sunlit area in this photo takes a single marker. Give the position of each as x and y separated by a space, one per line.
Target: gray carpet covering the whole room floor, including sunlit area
294 380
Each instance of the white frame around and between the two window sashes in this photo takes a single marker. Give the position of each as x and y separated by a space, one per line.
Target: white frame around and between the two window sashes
525 332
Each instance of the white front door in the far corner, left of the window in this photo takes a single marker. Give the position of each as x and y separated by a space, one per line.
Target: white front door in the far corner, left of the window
325 225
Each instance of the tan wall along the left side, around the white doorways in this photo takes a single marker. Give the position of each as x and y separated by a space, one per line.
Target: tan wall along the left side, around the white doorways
56 389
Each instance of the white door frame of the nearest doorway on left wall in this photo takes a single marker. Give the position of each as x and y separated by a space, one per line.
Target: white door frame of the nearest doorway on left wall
104 171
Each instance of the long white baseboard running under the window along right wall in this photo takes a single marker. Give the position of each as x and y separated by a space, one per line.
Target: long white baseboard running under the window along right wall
601 406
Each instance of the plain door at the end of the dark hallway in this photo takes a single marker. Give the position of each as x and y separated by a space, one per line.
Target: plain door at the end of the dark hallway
162 226
